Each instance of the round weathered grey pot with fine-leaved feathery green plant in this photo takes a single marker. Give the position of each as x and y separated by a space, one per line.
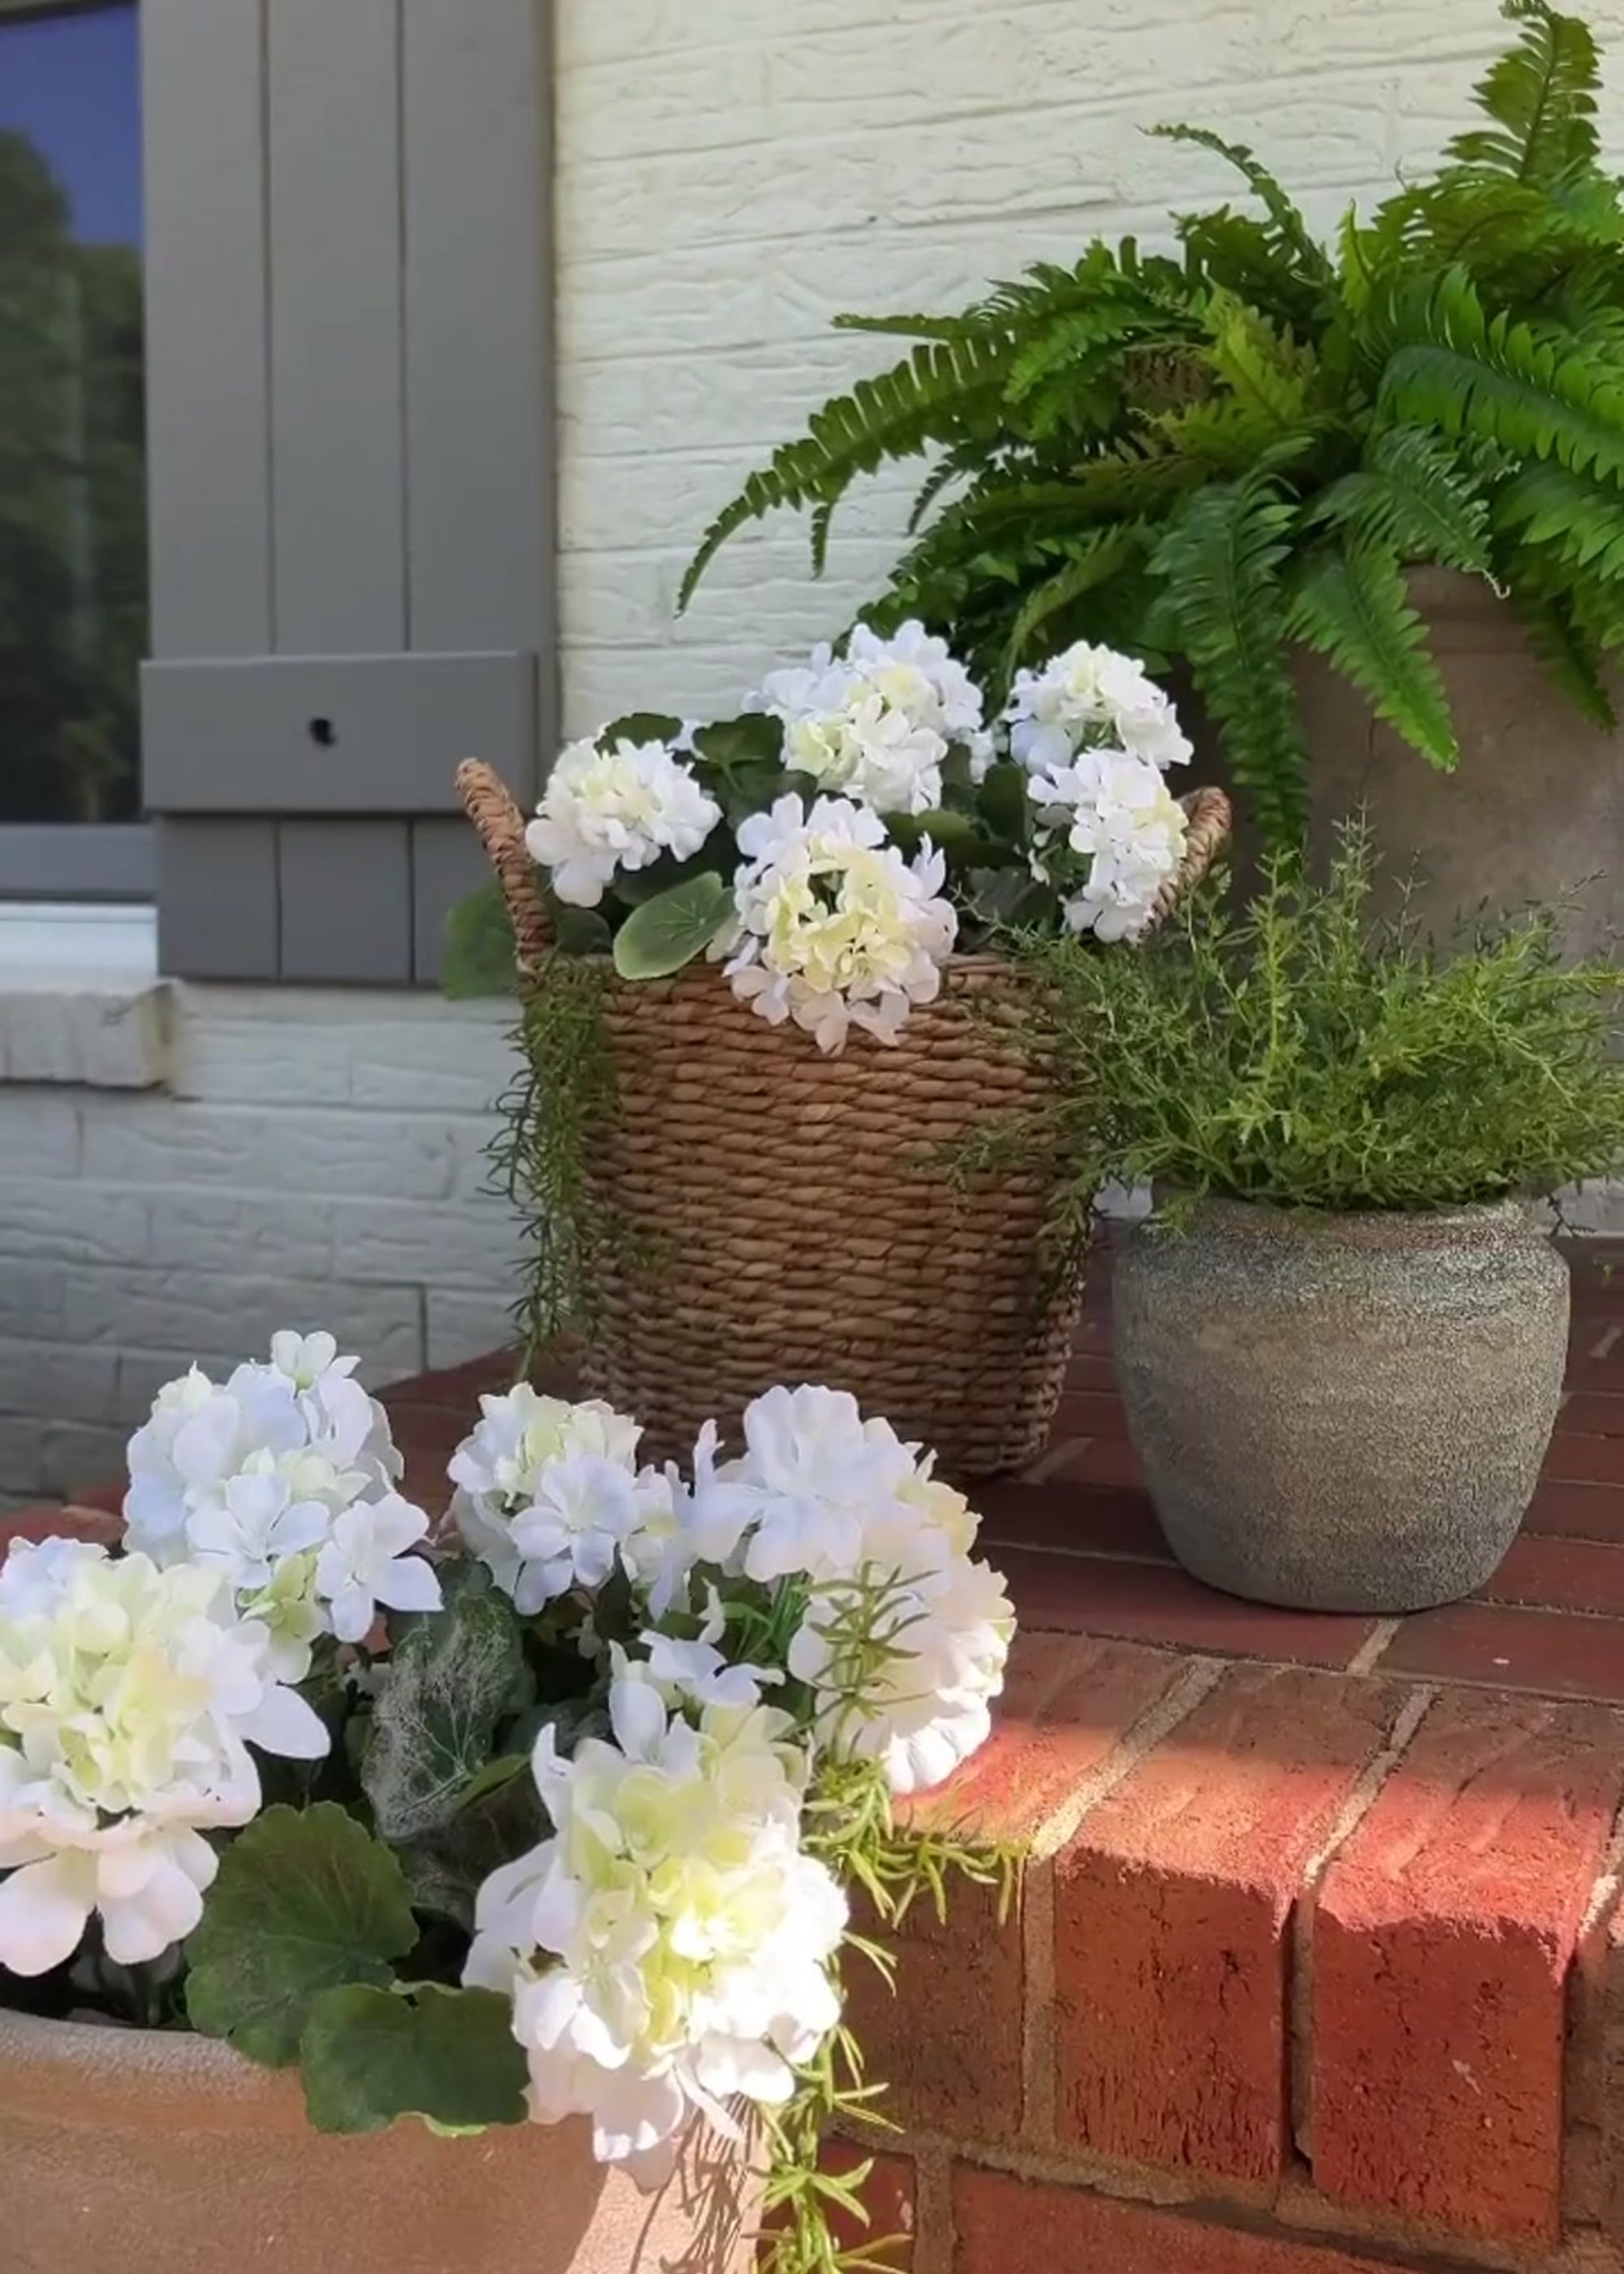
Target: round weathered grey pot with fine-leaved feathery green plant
1343 1334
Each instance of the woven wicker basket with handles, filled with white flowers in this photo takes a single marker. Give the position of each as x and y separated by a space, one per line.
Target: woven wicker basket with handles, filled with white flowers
761 1002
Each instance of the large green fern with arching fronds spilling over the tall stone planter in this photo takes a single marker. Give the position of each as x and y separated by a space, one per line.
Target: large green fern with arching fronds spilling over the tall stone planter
1227 454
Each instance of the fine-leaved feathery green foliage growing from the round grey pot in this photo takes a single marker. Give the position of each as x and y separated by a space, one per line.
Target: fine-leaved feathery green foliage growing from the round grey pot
1311 1056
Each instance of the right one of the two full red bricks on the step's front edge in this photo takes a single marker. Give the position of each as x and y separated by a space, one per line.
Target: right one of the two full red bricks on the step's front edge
1441 1952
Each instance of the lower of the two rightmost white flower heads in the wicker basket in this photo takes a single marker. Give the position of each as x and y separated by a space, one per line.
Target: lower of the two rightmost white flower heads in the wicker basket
1125 833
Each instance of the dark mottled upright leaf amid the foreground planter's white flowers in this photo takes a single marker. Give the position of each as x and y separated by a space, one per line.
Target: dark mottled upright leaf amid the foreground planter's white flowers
451 1679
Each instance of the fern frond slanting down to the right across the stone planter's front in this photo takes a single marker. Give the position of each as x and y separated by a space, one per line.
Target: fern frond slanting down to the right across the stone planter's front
1352 606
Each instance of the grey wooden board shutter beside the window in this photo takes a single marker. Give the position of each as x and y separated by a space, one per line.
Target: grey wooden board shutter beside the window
349 370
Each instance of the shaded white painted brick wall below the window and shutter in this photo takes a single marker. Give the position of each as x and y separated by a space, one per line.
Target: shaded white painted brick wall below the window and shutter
317 1159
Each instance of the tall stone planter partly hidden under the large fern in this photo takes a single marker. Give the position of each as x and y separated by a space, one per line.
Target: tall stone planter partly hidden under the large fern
1532 813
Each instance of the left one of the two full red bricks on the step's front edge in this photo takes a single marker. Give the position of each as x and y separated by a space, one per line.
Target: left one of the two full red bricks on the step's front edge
1173 1918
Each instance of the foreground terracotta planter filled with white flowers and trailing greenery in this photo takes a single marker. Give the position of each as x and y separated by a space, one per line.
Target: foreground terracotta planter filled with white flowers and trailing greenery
542 1832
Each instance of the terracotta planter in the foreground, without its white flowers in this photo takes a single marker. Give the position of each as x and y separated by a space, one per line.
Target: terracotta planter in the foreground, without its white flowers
131 2150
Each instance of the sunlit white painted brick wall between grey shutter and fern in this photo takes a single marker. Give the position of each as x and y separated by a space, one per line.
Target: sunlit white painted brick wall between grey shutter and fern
731 176
